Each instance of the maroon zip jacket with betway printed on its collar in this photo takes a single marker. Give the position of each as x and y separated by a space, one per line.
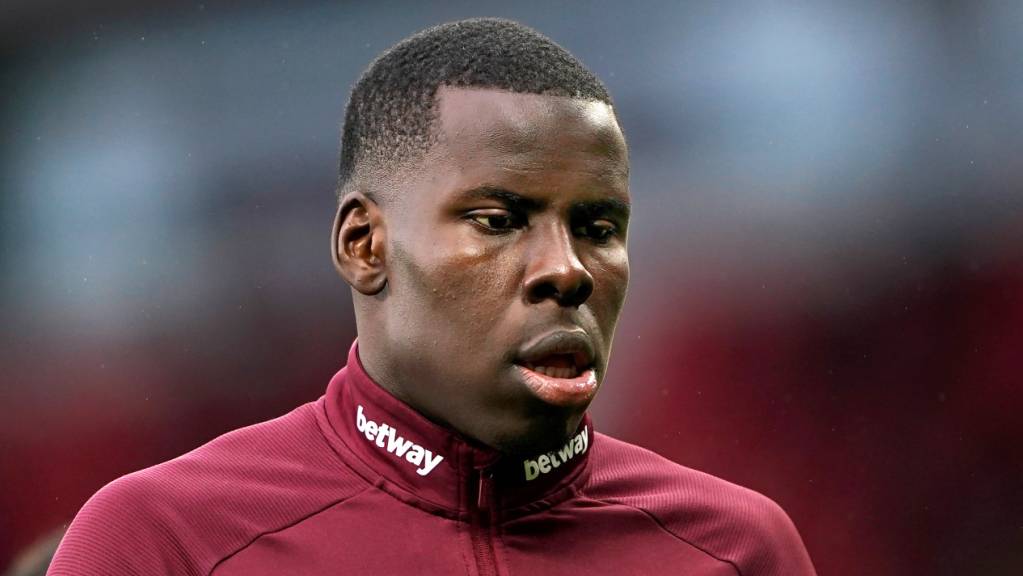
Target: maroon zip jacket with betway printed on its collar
360 483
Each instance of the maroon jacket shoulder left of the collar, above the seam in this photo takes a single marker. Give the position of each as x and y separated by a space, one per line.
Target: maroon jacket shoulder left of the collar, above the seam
189 513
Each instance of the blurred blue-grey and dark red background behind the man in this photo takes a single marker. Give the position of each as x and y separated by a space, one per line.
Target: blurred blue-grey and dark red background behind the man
827 299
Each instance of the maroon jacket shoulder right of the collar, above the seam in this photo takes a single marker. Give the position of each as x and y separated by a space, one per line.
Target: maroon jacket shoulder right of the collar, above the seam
728 521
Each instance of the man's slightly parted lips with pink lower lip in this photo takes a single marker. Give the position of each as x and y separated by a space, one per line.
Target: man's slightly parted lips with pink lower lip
558 368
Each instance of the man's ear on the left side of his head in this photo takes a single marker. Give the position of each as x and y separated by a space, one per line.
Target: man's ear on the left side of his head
358 244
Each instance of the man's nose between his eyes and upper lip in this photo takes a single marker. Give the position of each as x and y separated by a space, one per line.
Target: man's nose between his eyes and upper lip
555 271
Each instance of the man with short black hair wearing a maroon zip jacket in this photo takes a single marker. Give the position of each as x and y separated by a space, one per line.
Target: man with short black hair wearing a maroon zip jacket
482 226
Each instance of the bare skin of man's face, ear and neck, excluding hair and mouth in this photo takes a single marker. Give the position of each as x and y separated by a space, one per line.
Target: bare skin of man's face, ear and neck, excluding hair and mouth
513 227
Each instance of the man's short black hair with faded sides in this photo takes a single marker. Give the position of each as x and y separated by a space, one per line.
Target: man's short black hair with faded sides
391 112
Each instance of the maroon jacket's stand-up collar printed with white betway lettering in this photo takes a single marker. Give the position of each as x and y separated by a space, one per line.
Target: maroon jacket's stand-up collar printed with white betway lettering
434 465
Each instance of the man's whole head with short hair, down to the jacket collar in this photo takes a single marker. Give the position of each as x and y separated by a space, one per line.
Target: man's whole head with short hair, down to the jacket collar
482 226
